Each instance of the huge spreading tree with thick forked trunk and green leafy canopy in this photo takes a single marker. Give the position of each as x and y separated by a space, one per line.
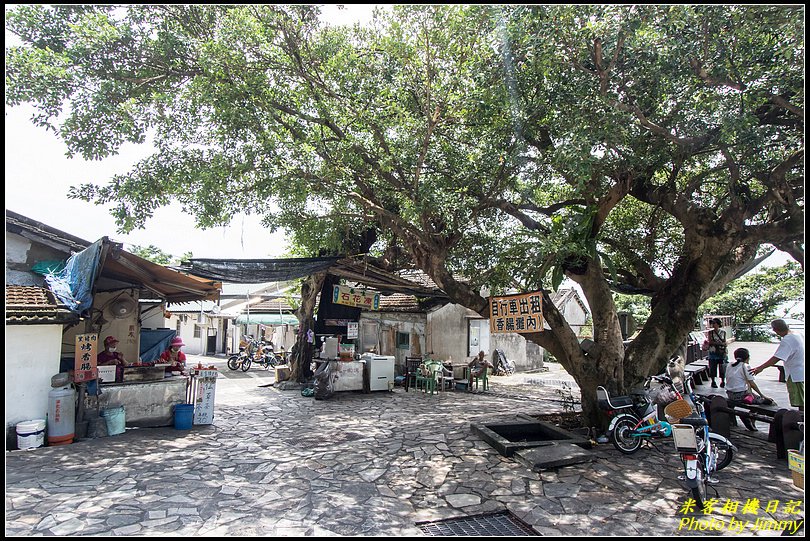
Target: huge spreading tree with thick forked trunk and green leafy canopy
652 150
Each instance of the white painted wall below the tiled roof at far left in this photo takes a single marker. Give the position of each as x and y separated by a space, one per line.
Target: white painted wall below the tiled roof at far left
31 359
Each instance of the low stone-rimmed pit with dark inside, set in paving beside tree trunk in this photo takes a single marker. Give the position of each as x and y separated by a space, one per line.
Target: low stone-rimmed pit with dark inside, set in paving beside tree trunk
510 437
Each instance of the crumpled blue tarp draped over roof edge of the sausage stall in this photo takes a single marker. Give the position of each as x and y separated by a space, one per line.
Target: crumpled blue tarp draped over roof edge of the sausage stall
73 285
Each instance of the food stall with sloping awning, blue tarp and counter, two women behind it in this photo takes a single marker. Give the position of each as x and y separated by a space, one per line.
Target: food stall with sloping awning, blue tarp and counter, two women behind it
119 280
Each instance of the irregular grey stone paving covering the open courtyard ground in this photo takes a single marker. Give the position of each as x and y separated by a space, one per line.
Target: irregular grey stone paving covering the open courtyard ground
277 463
